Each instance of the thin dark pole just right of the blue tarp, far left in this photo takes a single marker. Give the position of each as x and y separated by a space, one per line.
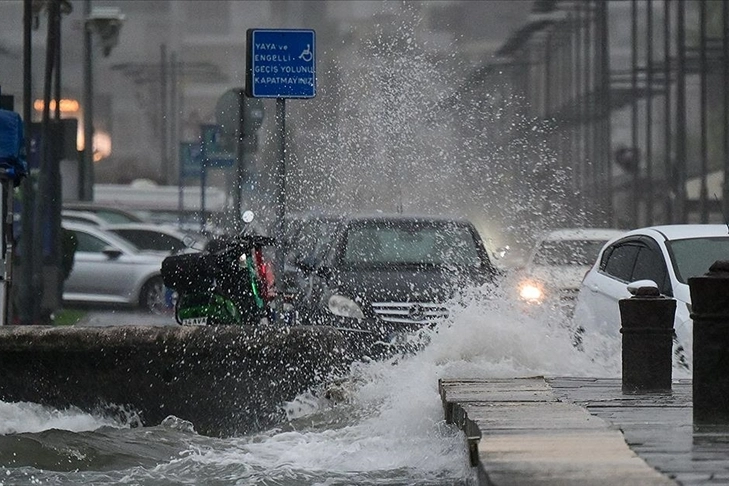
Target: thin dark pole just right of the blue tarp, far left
26 241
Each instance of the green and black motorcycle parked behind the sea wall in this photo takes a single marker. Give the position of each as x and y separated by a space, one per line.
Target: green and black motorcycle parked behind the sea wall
228 285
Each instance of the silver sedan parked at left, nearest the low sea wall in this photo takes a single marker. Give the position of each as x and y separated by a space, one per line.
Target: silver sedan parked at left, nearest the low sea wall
109 270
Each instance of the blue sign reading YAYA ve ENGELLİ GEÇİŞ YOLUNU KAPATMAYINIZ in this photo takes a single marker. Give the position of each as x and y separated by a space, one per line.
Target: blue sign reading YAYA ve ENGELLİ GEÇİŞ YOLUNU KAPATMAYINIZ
281 63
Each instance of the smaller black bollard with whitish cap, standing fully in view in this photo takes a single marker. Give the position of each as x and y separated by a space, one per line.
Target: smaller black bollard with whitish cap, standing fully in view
647 329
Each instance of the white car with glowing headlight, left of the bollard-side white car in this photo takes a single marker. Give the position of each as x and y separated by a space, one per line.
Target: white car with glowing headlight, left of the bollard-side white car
556 265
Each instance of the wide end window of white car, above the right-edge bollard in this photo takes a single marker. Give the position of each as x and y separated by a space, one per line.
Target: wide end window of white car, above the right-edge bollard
693 257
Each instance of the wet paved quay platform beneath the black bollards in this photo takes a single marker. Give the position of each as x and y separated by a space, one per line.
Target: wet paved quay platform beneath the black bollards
583 431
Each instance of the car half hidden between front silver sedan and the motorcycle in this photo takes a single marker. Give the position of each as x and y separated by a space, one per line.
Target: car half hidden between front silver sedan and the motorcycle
154 237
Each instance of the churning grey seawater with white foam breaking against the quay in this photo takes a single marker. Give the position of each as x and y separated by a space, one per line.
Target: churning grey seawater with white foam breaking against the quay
382 423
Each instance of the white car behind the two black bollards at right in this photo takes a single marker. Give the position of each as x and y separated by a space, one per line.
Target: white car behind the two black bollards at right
667 255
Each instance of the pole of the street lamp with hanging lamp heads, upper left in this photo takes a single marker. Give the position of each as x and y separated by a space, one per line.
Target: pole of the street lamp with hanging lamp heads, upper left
87 167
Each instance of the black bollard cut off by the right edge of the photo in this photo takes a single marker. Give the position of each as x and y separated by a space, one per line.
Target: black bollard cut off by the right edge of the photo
710 314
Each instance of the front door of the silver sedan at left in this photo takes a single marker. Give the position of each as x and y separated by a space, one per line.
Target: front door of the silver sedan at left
98 276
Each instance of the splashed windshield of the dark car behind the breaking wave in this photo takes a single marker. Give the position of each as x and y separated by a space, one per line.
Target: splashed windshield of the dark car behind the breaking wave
410 244
